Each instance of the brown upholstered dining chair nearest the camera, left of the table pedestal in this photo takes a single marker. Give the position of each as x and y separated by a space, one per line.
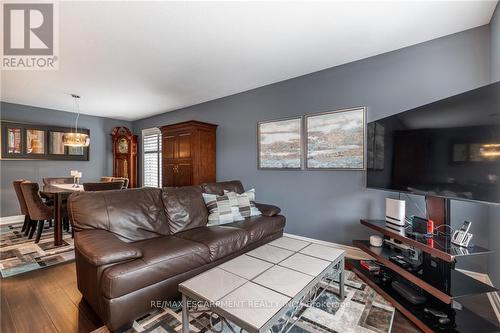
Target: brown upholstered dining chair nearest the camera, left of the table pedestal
38 211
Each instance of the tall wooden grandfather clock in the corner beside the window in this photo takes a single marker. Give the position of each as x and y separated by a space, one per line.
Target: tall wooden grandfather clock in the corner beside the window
125 154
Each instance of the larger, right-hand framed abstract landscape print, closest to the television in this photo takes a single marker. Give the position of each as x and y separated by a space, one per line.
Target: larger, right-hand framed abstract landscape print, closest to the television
336 140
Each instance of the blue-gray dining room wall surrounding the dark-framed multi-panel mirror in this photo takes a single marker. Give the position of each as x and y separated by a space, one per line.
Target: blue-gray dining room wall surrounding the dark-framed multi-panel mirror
100 163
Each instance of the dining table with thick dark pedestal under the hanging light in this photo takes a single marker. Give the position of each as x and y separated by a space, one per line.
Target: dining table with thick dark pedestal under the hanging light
60 193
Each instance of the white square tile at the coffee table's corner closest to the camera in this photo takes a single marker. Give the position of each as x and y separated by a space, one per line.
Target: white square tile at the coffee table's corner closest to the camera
253 304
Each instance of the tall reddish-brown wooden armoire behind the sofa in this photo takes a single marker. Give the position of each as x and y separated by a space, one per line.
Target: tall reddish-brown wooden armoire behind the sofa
188 153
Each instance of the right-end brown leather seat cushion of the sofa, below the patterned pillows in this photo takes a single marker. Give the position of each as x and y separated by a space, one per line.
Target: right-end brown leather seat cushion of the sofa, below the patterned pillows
259 227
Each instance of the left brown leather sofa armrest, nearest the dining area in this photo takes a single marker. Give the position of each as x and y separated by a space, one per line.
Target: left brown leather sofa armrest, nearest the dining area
101 247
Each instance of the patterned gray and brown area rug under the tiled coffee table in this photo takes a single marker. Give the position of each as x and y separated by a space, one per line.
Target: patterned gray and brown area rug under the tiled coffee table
363 311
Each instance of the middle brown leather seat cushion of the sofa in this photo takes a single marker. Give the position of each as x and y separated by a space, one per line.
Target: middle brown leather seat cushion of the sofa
220 240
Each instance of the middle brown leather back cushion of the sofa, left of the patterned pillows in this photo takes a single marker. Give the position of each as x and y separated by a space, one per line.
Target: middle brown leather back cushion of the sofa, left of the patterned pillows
185 207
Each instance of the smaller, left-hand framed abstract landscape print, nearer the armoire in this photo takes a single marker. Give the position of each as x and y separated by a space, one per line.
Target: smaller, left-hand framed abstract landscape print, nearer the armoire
280 145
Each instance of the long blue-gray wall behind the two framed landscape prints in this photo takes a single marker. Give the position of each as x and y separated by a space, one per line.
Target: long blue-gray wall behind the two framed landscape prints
328 204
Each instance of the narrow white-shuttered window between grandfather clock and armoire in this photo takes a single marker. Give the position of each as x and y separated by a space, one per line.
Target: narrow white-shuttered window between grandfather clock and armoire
151 157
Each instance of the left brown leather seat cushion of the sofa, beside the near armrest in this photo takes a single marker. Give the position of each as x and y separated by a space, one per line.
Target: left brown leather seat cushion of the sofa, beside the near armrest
162 257
